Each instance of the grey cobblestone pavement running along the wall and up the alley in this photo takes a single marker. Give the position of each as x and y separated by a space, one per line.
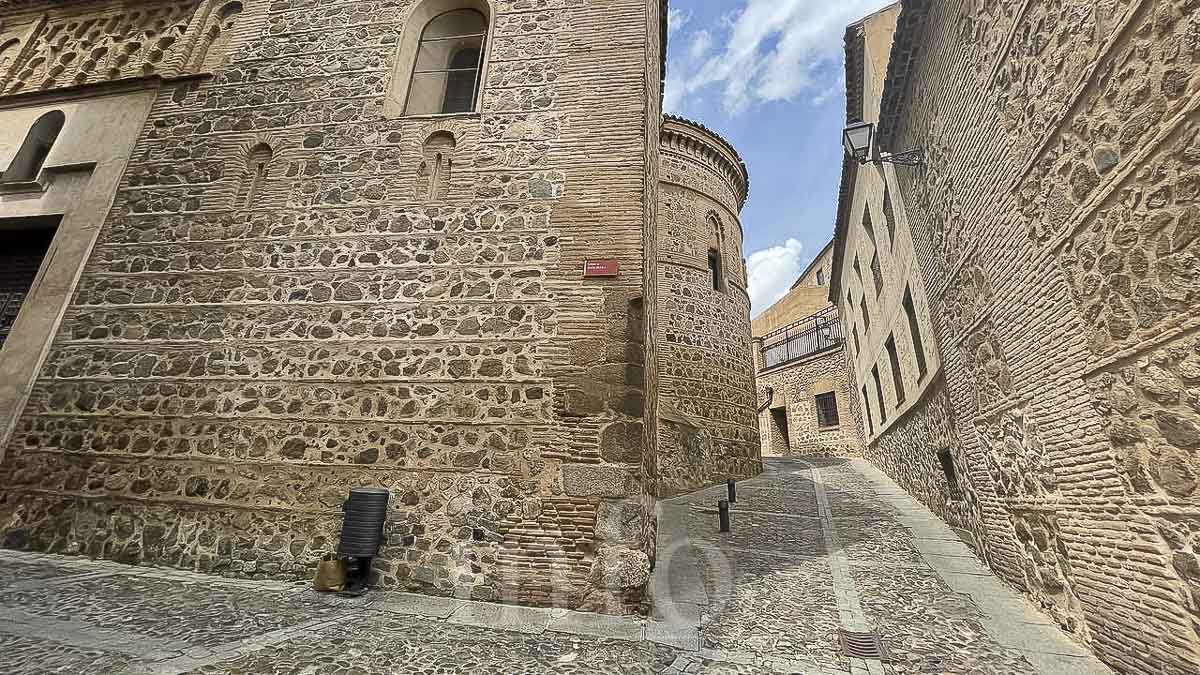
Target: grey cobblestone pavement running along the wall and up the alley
814 548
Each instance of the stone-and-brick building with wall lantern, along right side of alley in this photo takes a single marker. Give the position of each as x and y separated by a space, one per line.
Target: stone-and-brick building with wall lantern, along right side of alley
1051 258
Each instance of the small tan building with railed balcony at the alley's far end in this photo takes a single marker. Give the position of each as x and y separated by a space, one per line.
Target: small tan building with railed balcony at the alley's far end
808 407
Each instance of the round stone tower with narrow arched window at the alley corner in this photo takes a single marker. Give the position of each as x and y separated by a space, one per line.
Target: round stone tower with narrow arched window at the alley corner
709 429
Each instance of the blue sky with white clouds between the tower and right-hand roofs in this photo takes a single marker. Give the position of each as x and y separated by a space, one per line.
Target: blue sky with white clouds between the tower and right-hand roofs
769 76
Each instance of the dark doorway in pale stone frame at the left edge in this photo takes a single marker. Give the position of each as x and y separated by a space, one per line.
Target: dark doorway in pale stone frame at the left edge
23 246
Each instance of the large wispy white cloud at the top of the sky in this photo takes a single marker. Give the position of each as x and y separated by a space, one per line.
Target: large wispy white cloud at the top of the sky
772 51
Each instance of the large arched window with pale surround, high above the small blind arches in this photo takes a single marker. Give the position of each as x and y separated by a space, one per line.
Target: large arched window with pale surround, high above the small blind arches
449 62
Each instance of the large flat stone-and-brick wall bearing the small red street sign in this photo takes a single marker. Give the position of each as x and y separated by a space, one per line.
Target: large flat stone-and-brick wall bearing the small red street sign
273 252
